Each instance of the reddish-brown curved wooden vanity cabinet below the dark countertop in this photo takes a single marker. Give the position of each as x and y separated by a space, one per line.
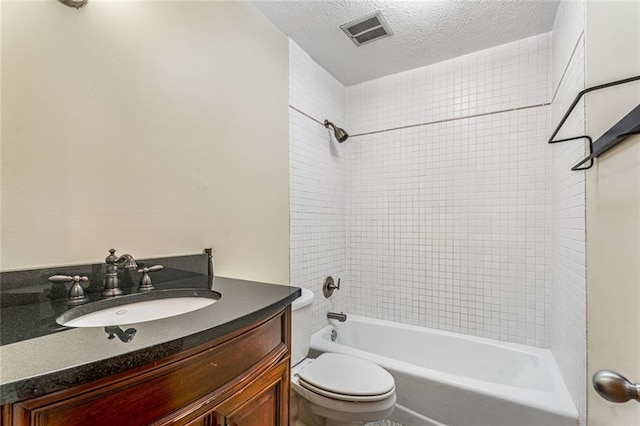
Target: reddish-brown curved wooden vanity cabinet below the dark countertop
238 379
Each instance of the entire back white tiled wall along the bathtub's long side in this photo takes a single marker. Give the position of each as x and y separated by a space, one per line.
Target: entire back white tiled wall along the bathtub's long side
449 194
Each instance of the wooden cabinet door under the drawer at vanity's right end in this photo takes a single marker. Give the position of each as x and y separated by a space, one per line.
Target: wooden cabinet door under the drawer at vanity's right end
264 402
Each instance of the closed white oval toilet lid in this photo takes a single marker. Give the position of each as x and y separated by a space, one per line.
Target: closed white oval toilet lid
347 378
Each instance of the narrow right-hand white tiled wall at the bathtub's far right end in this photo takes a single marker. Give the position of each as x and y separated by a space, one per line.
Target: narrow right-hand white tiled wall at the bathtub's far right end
568 206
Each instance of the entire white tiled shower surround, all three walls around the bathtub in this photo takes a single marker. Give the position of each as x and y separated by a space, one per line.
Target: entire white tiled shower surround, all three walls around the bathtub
446 208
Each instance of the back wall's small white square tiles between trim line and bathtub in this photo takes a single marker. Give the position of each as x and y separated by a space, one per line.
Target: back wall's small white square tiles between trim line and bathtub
448 226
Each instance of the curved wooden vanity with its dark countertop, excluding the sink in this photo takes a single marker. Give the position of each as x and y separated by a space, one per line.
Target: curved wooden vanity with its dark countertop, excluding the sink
227 363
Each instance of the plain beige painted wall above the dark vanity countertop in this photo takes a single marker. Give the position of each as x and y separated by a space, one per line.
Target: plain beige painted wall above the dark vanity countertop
156 128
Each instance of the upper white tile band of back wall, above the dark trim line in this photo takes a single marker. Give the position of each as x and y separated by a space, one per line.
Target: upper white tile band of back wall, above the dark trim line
505 77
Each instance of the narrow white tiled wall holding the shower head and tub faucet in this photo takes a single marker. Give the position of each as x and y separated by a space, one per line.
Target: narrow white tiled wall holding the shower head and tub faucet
317 183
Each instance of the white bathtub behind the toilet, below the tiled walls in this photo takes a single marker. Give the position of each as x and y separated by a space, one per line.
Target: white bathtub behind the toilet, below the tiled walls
445 378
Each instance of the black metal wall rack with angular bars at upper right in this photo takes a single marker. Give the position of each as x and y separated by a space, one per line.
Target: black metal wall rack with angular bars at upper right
629 125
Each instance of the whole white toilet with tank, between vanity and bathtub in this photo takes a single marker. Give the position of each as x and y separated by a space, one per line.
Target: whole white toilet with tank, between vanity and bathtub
333 389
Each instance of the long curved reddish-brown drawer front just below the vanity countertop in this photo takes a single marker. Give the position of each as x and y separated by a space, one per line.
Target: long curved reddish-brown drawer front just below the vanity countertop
175 386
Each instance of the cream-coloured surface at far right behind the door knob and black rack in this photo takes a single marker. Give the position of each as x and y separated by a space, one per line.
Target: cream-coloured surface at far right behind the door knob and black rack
612 44
